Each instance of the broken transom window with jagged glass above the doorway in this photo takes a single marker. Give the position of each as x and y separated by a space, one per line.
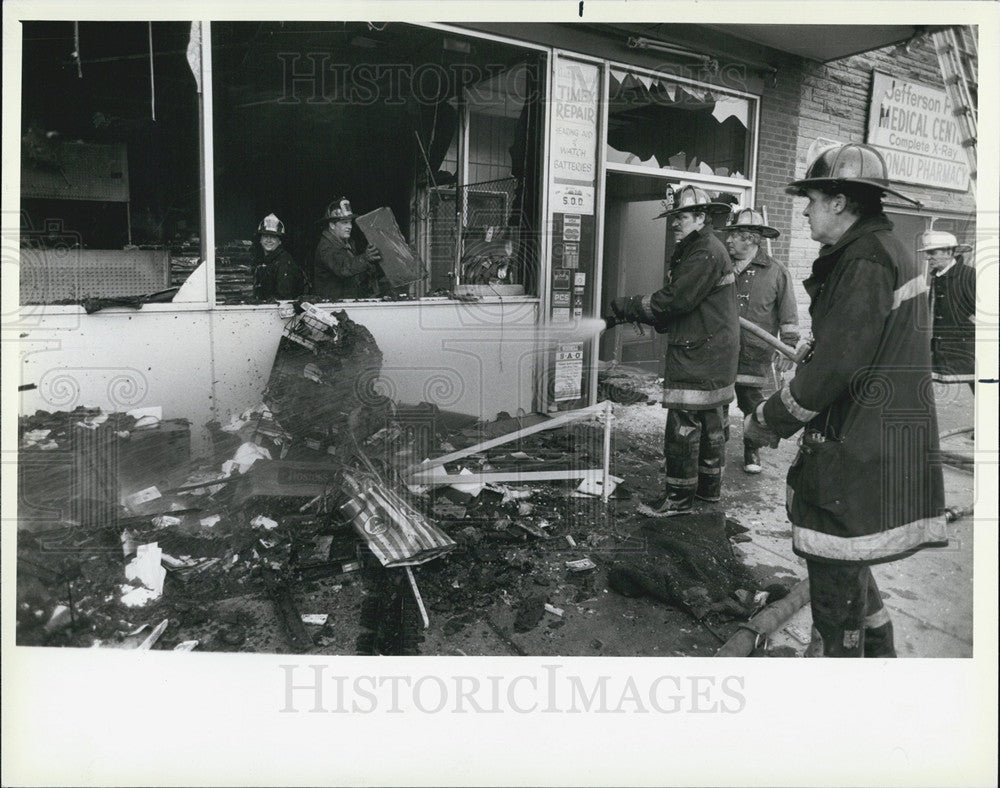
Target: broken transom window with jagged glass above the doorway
663 124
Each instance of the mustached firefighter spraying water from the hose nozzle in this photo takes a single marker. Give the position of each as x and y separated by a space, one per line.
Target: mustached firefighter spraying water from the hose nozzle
696 309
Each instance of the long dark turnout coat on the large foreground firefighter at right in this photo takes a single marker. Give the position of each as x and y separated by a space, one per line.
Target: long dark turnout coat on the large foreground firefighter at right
866 486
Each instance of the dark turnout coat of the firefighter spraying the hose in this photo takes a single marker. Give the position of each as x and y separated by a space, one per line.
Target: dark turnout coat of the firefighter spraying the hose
696 309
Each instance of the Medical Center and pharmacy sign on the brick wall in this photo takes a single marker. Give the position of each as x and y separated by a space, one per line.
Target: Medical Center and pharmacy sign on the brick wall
913 127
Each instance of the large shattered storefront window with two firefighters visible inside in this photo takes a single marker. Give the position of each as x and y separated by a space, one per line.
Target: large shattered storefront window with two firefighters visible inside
441 129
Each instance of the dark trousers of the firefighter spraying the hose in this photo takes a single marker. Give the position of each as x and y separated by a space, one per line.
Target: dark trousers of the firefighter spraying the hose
694 446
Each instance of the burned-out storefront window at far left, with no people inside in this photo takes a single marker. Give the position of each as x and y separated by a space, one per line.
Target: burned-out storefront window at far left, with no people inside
110 194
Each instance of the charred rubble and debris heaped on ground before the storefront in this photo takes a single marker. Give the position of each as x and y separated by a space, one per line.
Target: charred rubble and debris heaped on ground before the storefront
287 537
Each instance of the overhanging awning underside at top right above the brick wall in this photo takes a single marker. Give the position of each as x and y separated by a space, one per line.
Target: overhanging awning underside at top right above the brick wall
824 43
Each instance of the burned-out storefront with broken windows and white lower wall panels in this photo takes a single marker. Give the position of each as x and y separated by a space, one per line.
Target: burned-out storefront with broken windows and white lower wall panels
525 164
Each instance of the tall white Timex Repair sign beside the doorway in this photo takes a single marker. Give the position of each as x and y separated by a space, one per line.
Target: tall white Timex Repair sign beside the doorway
573 162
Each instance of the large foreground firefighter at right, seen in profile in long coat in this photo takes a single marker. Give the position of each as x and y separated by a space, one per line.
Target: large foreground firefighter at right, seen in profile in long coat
865 487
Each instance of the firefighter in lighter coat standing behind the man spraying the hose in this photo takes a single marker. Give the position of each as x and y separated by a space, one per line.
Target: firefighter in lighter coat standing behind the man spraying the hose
765 297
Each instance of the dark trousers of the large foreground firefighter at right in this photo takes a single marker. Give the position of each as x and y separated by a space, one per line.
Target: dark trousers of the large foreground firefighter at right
849 619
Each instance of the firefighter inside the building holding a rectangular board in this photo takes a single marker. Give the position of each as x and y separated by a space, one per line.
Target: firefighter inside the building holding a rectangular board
339 272
